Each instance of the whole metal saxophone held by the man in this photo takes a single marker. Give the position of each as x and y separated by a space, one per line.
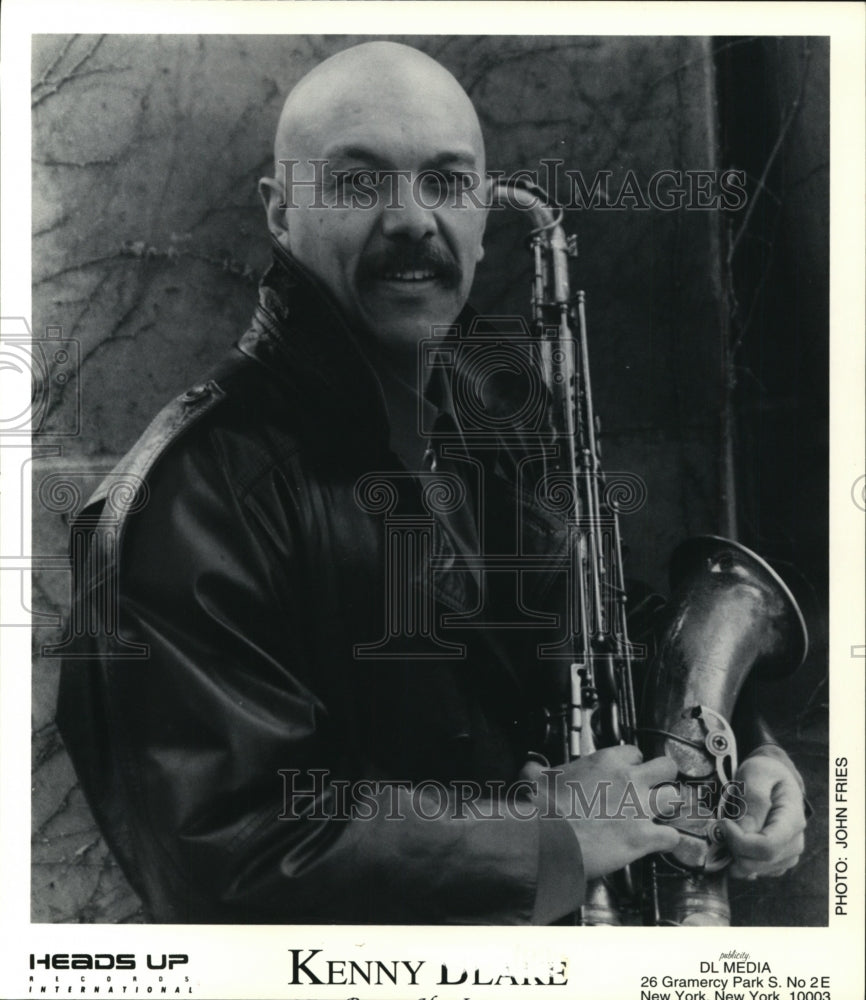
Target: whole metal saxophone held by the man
729 614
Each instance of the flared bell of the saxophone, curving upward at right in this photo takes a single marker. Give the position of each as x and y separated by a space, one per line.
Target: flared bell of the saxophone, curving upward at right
730 615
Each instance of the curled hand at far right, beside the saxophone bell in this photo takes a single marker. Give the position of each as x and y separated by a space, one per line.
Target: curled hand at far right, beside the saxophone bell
768 839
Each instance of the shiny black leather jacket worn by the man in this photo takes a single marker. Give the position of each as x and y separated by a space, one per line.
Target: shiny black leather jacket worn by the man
277 606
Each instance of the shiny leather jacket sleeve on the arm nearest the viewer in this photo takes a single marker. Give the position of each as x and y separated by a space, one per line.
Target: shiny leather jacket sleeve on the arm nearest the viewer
240 793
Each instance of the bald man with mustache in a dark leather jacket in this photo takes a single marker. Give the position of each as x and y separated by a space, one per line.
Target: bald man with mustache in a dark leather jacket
273 758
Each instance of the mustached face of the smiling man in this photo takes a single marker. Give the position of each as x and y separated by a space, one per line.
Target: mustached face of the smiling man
385 226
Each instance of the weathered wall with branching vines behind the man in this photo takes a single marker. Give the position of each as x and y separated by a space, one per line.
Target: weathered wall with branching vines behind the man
148 238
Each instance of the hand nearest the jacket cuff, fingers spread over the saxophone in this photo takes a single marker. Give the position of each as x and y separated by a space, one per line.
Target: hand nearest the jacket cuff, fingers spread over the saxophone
606 799
